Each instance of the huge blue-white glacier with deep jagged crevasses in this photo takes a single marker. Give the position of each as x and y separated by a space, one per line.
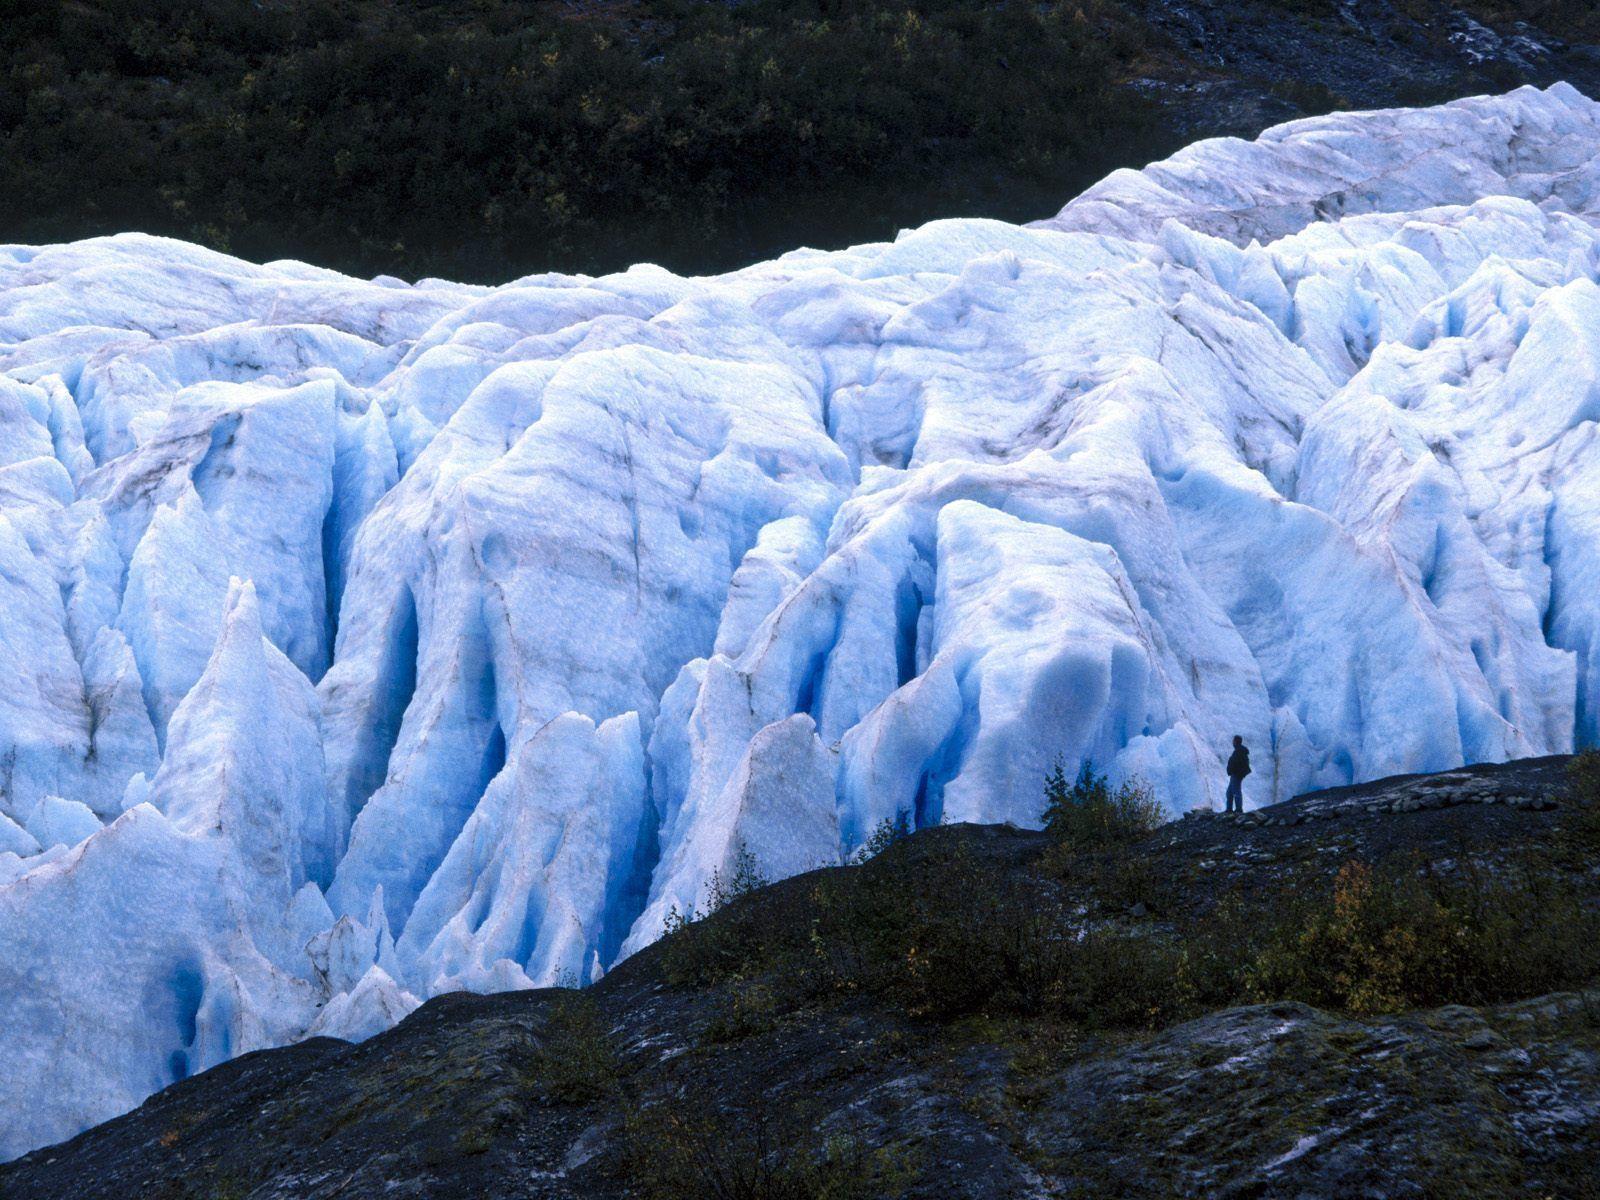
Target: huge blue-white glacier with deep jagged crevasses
369 641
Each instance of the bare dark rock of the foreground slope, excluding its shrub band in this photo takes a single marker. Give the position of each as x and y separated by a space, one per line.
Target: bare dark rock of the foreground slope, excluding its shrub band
540 1095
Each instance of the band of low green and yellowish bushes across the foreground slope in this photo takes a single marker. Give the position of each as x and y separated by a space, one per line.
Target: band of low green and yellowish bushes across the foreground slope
938 934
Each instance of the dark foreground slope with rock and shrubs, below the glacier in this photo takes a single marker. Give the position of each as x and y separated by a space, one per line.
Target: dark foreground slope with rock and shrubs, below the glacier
1366 993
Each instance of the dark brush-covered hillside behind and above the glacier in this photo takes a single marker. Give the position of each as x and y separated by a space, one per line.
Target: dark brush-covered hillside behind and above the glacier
490 140
